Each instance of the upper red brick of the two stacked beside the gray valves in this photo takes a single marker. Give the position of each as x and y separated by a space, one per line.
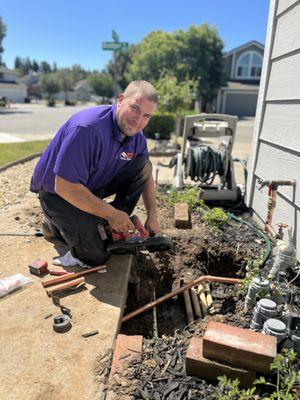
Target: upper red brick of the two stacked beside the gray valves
239 347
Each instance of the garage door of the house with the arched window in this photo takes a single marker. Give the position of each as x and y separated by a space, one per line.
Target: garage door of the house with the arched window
241 104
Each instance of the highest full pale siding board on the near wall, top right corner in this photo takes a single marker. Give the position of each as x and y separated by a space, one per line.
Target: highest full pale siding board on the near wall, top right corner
287 37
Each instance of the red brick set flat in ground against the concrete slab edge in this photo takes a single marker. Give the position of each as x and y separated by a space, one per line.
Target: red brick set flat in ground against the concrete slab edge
126 348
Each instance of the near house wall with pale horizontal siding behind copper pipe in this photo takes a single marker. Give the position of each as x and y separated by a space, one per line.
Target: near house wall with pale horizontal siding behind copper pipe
276 141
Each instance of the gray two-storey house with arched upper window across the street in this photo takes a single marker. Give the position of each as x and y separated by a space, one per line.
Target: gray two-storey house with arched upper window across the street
243 66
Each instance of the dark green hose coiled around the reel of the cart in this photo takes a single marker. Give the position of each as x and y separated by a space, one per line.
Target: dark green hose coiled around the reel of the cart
203 164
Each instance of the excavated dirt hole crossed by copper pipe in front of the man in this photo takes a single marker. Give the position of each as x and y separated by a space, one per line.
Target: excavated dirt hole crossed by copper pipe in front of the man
162 273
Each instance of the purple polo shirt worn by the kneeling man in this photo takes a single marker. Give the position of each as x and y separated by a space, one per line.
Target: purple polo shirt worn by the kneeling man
87 149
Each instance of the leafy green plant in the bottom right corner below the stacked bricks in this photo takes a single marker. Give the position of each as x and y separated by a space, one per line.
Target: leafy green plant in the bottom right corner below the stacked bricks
287 378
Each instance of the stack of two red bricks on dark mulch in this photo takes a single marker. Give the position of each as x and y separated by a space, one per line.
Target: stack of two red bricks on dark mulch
231 351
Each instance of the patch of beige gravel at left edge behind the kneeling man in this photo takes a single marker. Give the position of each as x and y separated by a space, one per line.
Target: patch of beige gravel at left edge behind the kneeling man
14 183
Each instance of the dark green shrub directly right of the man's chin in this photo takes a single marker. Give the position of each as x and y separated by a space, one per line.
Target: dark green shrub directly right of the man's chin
162 124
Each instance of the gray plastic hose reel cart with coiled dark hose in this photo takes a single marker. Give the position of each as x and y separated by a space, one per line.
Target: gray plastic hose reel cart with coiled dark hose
205 156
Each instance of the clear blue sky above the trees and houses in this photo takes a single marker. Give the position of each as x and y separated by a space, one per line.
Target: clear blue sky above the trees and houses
70 32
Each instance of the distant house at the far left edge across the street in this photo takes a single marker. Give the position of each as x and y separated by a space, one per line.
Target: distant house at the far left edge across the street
11 86
